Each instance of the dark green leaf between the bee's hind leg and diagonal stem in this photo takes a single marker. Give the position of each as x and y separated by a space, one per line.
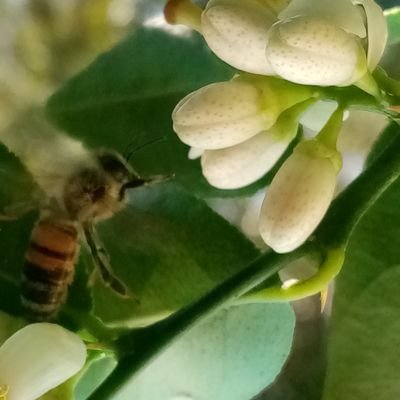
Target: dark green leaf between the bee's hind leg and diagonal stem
169 248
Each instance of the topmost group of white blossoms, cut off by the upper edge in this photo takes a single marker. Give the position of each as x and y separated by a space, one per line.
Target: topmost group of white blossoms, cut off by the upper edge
314 42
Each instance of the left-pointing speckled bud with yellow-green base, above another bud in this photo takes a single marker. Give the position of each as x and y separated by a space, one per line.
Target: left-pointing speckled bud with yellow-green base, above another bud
225 114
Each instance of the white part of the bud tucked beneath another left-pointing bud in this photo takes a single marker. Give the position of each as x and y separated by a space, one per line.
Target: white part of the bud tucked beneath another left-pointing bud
245 163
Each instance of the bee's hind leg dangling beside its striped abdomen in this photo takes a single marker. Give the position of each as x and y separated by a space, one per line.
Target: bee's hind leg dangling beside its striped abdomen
102 265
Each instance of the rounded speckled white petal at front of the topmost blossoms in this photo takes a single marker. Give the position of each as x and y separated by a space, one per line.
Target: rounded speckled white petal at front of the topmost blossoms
311 51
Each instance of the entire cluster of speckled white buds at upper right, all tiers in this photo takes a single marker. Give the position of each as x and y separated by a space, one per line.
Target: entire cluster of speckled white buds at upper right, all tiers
241 128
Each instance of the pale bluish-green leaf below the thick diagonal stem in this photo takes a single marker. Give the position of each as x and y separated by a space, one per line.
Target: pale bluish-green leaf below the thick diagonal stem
231 356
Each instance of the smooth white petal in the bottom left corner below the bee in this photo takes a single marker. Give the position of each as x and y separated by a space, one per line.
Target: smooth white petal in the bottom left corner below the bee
38 358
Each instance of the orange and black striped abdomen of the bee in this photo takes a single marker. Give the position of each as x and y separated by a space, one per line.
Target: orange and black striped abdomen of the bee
49 268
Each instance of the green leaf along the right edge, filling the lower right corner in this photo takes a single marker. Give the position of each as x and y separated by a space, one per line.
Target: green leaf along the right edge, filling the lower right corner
363 350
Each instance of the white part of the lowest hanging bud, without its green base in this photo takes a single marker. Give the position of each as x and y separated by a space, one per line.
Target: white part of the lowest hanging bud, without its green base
296 201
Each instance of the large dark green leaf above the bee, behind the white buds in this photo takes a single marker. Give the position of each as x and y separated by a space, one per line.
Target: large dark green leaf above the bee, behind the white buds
125 98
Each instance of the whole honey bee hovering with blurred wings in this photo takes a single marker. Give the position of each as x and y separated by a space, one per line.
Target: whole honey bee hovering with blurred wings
93 188
